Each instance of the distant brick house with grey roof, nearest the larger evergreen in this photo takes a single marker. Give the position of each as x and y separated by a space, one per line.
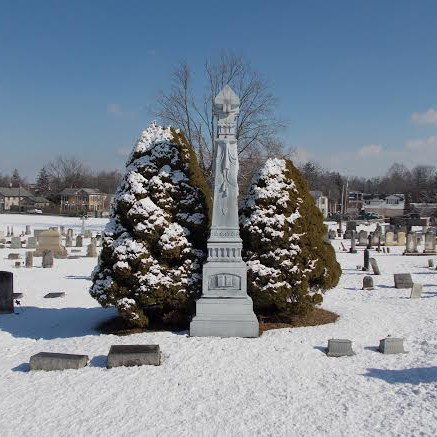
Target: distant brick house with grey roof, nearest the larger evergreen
82 200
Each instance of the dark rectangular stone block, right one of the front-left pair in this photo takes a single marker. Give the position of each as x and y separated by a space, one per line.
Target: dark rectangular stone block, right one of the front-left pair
134 355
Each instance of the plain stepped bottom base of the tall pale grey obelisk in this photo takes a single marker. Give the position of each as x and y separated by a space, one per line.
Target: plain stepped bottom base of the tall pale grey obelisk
224 317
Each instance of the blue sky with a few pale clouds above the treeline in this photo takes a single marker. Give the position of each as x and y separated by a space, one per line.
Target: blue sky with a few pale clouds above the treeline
356 80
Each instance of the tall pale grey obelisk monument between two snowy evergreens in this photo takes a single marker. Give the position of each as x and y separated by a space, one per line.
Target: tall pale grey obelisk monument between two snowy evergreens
225 309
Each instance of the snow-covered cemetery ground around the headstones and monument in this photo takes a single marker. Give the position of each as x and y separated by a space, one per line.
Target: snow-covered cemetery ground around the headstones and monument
279 384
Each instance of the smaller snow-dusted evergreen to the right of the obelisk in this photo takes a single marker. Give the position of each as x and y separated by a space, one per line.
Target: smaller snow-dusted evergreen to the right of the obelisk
289 263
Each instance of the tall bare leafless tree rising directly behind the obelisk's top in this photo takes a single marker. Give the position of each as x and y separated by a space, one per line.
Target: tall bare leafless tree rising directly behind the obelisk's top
191 111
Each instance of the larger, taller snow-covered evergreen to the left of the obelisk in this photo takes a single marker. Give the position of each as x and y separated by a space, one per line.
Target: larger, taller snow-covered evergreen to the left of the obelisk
155 243
